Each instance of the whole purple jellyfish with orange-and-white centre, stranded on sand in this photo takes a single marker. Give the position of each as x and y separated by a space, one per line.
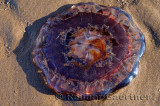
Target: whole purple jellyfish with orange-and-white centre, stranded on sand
89 50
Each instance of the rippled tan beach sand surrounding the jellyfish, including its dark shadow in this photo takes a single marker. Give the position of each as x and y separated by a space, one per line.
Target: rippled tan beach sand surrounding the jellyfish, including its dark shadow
20 84
